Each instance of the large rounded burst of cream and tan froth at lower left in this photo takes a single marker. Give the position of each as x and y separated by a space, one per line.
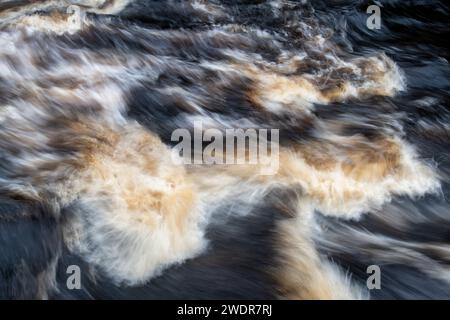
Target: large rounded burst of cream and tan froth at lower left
137 214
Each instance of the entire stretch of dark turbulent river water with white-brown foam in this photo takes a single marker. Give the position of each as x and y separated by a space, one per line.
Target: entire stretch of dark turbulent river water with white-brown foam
88 107
